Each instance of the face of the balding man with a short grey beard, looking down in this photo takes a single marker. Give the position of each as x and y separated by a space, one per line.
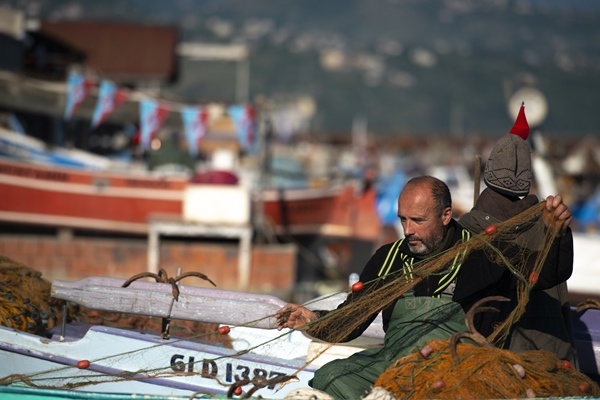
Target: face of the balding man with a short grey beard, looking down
423 226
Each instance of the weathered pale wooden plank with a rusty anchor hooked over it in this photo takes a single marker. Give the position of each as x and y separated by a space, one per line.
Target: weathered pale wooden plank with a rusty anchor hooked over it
156 299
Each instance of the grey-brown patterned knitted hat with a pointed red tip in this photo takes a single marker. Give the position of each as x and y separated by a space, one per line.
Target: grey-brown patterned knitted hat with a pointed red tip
508 169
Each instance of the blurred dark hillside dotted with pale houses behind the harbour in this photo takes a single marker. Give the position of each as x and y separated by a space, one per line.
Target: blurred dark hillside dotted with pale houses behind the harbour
407 66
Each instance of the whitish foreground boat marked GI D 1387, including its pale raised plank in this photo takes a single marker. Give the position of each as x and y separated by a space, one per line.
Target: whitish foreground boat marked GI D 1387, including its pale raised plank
262 361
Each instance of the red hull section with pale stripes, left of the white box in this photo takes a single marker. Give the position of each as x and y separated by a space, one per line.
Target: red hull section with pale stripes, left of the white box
50 195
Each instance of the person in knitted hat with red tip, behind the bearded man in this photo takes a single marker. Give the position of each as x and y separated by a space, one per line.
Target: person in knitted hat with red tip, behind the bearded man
546 323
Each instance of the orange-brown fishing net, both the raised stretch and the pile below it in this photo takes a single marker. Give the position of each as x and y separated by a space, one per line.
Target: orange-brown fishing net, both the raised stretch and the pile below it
452 369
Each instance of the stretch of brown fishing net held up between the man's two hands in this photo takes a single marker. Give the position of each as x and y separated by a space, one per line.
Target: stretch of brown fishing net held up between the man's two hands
504 244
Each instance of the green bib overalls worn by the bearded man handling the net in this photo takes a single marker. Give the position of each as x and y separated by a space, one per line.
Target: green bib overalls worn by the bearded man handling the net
414 322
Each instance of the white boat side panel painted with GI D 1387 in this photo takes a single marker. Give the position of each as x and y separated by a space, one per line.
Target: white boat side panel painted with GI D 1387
122 361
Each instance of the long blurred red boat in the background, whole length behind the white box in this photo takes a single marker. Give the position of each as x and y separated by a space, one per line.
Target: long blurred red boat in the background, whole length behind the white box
83 192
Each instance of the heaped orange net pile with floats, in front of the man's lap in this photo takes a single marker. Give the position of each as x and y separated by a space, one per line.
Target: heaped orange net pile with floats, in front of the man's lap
482 373
